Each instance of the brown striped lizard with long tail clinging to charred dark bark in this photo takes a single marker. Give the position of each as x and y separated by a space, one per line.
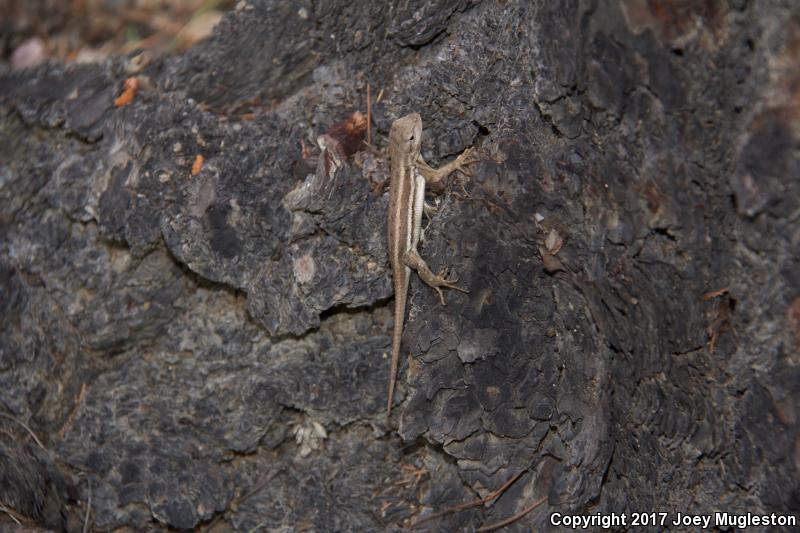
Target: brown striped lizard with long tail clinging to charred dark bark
408 176
